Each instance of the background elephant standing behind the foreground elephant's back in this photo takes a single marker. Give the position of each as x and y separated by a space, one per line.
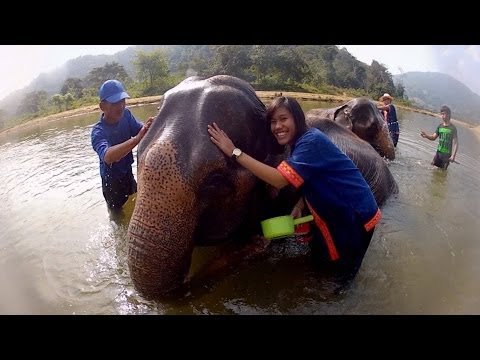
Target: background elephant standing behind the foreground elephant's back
361 116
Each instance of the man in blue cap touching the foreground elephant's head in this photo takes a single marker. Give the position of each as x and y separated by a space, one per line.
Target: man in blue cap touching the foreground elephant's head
113 137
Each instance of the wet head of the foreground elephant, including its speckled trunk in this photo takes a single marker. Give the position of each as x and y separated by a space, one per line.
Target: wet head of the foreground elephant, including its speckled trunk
189 192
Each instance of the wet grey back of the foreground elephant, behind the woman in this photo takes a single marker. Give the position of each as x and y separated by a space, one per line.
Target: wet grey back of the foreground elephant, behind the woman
372 166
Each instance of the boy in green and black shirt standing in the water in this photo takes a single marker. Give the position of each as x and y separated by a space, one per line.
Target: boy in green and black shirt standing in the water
448 143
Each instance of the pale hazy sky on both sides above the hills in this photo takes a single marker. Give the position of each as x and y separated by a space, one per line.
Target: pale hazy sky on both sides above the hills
20 64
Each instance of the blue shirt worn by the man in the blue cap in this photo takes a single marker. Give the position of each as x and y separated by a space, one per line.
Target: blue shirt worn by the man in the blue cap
105 135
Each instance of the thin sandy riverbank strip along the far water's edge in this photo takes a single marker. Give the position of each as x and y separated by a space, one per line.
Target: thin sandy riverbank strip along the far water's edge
265 96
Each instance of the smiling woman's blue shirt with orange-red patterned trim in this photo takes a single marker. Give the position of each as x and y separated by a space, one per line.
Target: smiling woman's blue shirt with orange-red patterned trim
334 188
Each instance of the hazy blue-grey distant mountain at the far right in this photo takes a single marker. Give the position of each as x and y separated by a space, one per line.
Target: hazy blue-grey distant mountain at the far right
431 90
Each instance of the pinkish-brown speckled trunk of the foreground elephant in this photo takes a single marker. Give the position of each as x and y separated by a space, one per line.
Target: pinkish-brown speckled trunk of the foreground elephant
161 228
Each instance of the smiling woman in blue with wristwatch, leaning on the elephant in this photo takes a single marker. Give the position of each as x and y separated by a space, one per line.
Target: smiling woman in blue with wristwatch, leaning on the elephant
331 187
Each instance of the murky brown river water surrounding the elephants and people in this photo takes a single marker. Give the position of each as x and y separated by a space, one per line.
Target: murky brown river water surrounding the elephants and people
61 252
